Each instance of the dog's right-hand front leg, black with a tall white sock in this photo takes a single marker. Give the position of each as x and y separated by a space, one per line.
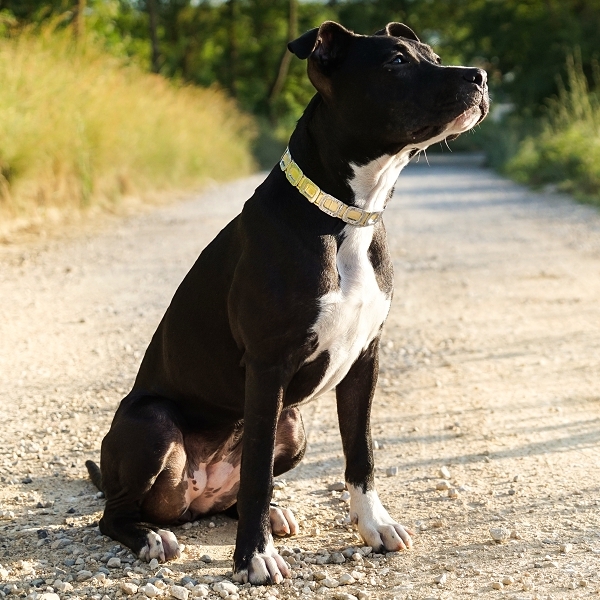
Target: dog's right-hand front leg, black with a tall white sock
354 396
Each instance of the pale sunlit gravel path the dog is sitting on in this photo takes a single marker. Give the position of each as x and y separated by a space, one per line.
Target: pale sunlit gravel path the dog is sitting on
490 367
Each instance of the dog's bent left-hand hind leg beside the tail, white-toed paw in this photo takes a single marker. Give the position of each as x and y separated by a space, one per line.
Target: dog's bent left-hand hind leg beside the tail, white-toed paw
142 479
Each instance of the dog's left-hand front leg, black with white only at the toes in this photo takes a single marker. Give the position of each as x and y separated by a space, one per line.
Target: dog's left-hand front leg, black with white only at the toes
255 558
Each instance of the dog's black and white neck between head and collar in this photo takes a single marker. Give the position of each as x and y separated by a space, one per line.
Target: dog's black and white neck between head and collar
344 166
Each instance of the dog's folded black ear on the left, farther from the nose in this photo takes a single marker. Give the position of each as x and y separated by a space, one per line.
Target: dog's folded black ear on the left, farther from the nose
327 44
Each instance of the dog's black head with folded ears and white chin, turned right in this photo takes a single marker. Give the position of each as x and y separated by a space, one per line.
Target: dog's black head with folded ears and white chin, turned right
390 87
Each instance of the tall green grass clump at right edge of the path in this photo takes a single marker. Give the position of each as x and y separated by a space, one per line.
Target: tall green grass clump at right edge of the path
567 149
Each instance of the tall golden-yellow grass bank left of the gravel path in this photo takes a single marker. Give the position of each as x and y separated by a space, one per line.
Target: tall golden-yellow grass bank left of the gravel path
81 128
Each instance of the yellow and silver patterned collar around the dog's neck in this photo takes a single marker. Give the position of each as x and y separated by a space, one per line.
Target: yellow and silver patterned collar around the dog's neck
328 204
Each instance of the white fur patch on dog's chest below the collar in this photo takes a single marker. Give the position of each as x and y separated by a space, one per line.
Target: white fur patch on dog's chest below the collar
351 316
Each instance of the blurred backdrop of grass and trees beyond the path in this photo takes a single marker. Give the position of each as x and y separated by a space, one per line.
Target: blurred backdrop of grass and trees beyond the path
106 99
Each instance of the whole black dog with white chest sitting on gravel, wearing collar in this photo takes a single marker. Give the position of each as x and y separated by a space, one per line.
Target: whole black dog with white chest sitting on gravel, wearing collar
286 303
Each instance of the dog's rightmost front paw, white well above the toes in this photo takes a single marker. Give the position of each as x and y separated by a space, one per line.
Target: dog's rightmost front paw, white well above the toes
374 523
